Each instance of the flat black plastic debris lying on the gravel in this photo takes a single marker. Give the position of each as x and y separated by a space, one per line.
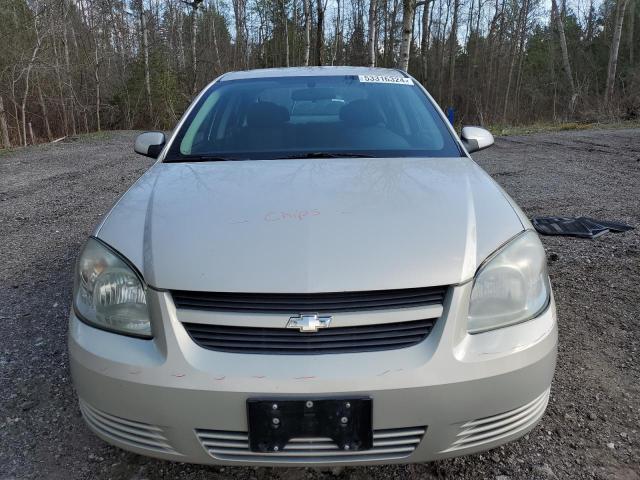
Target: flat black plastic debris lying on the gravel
583 227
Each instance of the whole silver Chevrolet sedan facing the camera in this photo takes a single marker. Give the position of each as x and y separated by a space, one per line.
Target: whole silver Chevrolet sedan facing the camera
314 271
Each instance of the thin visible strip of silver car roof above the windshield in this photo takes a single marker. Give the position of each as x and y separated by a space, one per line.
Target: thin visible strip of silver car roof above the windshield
310 71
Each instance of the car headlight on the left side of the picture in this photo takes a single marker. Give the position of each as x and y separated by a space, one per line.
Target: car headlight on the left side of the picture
108 293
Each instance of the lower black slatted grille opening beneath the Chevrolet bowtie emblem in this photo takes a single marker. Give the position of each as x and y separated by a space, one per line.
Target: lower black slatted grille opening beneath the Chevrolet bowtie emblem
364 338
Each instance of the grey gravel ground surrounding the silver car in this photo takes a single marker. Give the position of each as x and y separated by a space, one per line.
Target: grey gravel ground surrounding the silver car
52 196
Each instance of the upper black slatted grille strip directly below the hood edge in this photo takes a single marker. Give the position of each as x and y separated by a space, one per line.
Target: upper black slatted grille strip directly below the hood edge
291 303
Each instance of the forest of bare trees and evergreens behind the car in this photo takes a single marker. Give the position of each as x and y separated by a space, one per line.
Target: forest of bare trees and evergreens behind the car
78 66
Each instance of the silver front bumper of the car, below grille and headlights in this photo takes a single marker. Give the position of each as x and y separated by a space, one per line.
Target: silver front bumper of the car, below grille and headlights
452 394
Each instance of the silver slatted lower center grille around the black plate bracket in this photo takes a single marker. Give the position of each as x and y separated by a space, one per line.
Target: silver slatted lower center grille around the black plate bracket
387 444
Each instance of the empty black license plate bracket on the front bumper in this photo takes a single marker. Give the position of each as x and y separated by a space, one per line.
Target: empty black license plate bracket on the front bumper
273 422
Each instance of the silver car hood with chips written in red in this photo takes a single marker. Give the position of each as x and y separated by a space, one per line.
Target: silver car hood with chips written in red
316 225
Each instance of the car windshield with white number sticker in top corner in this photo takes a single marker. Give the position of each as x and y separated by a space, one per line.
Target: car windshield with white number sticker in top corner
298 117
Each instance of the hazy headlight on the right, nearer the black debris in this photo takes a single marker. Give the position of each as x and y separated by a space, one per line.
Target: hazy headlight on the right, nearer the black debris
511 287
